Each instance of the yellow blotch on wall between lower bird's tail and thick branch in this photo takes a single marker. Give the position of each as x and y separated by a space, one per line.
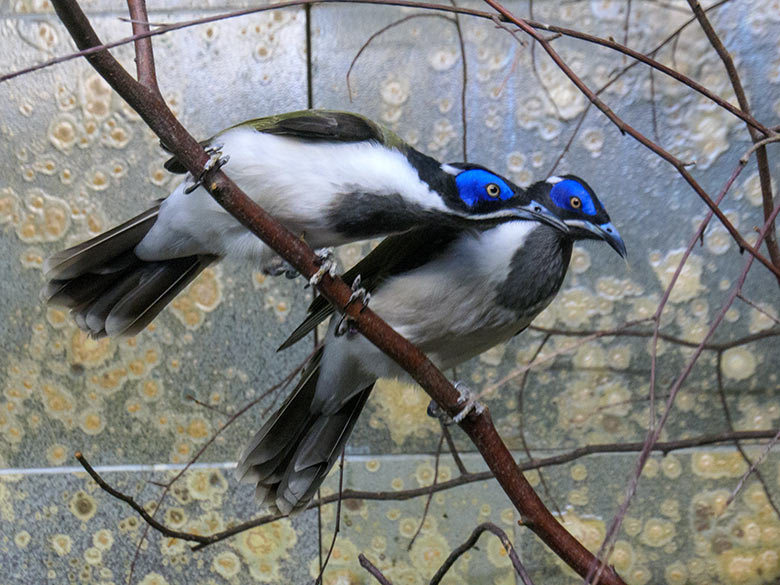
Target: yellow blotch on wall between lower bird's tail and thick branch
401 408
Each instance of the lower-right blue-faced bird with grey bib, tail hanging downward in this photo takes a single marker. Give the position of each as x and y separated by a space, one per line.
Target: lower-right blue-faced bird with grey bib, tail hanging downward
453 293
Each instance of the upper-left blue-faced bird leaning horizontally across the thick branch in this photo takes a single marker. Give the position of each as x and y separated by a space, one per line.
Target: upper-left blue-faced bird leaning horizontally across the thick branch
330 177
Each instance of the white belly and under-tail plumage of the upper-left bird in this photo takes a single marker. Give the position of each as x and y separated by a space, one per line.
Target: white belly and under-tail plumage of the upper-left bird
296 182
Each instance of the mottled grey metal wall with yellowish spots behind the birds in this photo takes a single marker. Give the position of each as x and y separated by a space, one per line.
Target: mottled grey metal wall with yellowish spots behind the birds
76 160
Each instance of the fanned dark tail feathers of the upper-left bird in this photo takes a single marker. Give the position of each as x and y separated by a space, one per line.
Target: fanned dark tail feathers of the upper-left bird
109 290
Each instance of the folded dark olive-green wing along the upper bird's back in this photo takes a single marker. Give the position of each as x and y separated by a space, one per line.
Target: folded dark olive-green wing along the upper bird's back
312 125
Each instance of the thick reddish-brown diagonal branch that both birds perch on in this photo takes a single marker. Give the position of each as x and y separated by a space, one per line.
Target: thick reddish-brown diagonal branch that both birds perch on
479 428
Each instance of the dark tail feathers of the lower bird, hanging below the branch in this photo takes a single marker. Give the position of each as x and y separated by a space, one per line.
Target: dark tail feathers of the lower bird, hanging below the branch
292 453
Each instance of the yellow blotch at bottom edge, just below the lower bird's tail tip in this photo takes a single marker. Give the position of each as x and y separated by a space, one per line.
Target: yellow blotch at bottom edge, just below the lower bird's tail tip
263 547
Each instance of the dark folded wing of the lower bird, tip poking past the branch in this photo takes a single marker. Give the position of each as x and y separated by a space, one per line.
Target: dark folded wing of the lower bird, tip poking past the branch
392 256
